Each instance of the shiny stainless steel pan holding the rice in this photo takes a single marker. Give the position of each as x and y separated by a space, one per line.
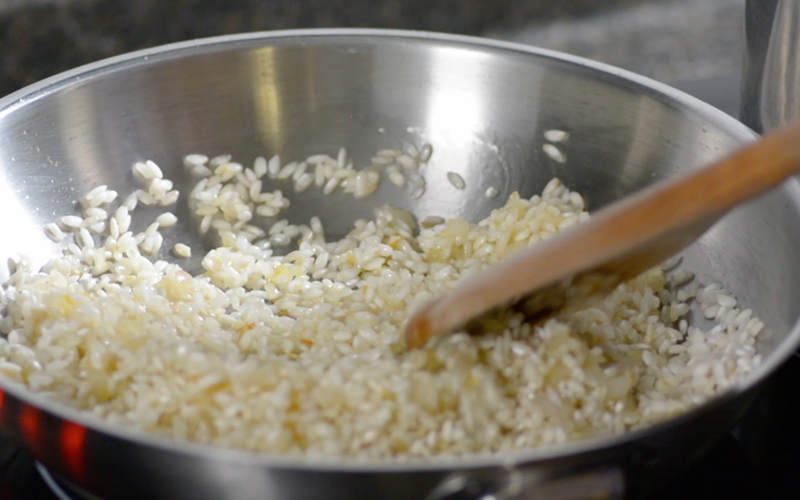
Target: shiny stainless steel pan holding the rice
484 105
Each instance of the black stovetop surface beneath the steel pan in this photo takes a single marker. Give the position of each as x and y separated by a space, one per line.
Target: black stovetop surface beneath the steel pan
759 460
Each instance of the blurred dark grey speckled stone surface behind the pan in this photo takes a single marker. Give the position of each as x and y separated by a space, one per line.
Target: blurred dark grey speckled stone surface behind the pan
665 39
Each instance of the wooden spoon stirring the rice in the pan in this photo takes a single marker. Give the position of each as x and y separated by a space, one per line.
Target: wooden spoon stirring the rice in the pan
618 242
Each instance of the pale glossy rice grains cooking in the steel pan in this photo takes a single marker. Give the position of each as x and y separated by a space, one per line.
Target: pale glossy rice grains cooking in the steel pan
302 354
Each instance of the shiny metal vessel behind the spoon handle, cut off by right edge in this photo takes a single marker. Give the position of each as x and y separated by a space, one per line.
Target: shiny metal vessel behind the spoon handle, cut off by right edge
772 63
